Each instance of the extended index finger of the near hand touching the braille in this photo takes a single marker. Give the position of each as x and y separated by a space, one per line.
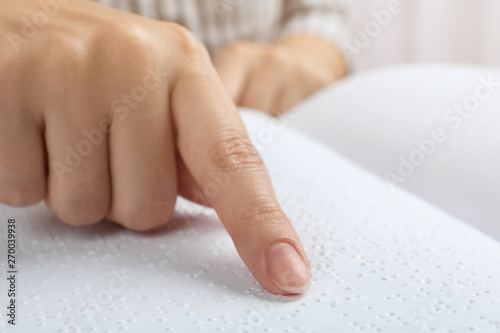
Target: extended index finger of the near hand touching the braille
214 145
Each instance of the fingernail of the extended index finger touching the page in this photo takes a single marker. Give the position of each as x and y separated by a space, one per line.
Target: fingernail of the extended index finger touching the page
287 270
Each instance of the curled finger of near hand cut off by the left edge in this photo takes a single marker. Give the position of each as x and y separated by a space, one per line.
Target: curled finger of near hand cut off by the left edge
22 166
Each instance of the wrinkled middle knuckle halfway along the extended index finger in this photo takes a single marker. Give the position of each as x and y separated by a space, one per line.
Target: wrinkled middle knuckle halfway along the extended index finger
233 151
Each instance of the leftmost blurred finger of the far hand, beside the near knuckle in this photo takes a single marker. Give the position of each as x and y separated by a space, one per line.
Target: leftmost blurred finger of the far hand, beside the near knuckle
233 64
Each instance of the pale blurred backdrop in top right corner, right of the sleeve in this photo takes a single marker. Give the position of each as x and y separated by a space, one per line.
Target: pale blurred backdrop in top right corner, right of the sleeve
459 31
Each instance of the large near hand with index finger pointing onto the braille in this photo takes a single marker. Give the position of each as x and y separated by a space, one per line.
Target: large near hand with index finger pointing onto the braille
105 113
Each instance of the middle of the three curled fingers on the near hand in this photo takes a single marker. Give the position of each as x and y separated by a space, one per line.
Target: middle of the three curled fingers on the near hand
78 180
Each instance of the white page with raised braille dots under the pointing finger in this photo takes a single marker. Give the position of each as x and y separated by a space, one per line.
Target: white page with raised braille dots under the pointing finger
382 261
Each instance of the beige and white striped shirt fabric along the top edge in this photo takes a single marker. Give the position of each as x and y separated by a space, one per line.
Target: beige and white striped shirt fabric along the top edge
219 22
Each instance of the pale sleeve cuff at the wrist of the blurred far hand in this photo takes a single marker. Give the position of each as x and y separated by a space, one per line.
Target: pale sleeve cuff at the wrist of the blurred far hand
326 18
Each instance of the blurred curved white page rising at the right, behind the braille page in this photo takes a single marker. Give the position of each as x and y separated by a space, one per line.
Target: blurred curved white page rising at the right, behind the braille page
379 118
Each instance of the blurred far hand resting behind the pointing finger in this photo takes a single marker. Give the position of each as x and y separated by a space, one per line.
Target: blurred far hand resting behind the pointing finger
275 77
